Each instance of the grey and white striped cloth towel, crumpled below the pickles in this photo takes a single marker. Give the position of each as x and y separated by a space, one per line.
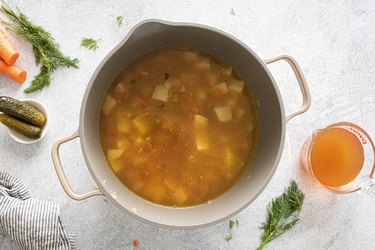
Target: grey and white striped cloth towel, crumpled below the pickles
32 223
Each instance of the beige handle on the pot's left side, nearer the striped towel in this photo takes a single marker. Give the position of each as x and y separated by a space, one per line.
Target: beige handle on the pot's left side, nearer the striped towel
61 174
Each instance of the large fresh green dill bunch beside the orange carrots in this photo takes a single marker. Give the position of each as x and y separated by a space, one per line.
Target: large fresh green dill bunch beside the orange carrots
45 48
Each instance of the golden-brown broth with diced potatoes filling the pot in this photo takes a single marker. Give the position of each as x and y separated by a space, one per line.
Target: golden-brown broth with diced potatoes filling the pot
178 127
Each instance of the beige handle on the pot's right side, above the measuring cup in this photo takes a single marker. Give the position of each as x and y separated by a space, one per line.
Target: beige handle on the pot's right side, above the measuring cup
301 81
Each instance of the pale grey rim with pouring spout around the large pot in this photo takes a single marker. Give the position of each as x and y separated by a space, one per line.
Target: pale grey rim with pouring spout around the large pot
82 134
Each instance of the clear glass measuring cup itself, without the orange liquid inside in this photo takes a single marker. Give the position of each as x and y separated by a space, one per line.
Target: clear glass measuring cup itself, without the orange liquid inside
365 179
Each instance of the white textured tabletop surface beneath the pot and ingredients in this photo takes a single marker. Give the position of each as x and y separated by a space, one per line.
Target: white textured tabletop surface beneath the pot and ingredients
333 42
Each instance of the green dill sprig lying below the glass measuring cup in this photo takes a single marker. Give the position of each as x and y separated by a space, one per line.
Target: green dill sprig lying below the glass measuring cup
283 212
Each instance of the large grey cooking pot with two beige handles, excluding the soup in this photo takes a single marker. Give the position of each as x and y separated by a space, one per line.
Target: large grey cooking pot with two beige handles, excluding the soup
154 34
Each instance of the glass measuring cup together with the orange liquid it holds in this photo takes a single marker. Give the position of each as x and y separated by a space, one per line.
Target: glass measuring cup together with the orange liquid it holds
340 158
